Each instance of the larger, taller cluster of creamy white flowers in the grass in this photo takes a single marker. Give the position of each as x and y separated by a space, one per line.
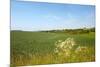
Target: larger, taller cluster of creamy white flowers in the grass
64 47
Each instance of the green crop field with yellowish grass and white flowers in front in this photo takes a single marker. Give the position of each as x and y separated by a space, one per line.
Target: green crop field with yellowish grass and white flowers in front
32 48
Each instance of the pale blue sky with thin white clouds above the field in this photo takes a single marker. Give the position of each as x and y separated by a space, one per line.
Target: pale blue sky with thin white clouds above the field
35 16
